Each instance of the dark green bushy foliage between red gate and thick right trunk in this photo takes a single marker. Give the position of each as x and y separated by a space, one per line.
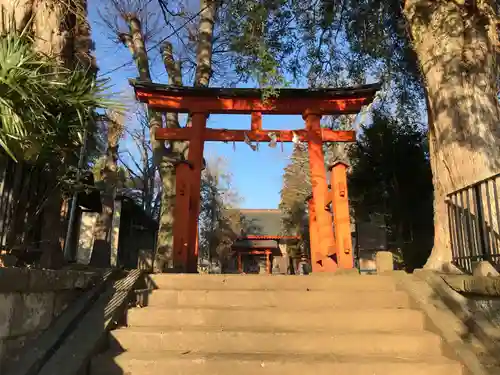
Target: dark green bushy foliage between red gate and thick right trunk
391 176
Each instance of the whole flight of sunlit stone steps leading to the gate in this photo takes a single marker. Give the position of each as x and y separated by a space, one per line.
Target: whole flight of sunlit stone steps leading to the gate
248 325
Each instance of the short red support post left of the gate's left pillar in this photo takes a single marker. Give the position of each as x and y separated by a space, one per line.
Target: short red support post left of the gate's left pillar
181 228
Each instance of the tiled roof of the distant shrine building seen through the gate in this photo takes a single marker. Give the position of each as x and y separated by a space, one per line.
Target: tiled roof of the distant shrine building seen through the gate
259 222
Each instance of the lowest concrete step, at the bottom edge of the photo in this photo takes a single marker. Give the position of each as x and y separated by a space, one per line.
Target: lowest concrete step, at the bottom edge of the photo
159 363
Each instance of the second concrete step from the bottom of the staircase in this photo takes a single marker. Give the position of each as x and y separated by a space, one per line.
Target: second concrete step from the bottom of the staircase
412 345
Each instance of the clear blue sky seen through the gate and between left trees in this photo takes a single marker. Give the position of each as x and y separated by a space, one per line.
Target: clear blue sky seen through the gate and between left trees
257 175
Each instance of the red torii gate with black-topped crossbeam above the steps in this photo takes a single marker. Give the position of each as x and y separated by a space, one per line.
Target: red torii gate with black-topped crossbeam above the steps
310 103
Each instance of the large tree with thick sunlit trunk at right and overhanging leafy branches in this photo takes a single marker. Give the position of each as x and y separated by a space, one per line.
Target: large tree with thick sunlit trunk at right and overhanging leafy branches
435 54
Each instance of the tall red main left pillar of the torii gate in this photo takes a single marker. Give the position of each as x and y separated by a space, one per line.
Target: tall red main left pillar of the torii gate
195 157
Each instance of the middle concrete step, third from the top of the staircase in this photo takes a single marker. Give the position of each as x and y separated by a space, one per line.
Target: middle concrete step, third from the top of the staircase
339 320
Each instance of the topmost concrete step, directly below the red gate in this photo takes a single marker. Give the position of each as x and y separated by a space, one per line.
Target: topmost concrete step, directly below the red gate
347 283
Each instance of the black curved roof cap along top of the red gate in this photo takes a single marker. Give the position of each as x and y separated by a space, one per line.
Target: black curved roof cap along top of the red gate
284 93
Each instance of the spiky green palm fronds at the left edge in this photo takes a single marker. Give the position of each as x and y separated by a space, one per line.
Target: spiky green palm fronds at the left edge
44 108
